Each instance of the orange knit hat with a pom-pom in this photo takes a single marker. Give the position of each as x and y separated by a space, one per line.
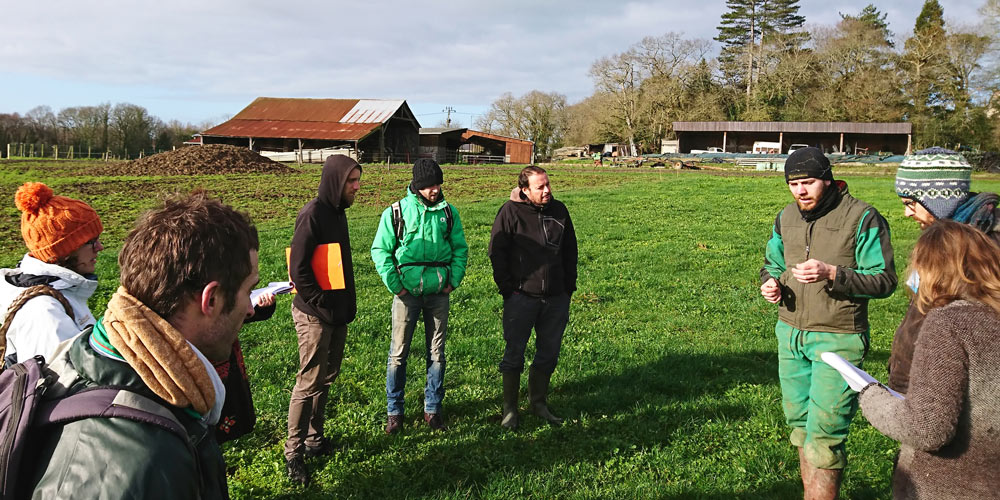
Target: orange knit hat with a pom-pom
54 226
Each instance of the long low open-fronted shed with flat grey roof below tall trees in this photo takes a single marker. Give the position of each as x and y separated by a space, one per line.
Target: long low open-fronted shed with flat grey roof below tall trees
831 137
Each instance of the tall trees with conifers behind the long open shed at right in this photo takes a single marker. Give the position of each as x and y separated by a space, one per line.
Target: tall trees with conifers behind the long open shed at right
944 79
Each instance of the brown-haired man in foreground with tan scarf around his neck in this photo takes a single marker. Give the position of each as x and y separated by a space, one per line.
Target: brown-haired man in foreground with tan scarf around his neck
186 274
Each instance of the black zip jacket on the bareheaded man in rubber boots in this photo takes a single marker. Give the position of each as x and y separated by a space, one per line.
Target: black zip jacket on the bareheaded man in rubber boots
533 249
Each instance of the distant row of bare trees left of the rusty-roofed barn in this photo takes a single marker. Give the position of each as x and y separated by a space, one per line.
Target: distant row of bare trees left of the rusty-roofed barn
121 129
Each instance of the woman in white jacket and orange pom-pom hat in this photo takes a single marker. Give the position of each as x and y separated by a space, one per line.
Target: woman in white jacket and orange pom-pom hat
63 240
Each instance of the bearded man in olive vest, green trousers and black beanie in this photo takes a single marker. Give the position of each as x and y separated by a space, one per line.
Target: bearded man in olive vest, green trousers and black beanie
829 253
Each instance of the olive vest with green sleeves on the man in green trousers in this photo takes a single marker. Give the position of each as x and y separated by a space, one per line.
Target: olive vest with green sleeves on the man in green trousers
852 236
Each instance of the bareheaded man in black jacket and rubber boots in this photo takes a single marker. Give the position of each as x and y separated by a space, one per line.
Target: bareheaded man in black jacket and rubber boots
533 252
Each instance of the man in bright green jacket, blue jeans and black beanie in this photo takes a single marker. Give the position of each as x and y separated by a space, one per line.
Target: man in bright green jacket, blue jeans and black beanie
420 252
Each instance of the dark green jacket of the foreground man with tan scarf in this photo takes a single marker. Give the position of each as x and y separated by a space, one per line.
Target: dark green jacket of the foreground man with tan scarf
112 458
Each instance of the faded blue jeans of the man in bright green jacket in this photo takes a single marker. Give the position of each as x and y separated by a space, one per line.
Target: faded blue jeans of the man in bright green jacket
405 312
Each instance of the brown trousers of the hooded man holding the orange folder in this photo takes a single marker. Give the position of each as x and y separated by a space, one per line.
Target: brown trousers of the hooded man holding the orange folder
321 350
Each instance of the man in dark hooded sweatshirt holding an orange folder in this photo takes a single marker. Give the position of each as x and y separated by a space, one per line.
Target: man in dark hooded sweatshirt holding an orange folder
321 310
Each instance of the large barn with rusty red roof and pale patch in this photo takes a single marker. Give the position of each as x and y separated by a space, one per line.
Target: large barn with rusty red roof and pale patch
367 129
